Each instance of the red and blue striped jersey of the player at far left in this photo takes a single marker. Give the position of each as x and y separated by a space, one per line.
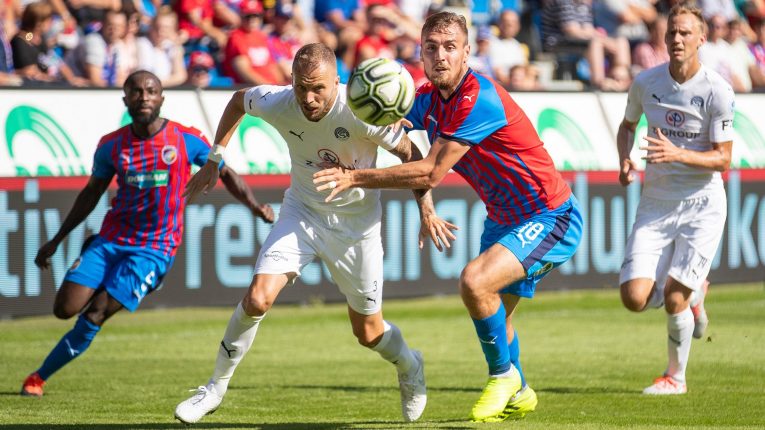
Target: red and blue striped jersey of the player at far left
152 173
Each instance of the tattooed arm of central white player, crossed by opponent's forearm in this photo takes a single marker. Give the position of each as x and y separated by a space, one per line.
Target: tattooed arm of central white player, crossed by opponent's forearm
431 225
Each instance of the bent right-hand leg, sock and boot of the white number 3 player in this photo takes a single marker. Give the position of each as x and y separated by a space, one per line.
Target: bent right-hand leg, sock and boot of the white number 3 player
379 335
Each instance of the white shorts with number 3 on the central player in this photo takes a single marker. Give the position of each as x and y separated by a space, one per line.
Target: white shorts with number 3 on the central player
354 256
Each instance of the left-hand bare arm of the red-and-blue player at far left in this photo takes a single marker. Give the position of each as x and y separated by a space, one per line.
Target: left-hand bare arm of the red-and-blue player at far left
83 205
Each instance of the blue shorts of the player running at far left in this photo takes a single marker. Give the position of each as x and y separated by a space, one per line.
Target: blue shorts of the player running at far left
127 273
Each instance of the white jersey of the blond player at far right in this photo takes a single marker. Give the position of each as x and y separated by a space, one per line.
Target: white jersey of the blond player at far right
693 115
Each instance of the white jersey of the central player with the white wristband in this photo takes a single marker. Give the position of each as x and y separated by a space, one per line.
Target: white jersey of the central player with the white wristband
339 138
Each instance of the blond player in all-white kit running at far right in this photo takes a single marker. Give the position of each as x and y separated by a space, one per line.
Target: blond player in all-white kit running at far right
682 209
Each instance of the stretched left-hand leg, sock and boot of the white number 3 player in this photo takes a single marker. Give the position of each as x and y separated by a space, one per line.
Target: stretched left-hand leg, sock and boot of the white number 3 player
237 340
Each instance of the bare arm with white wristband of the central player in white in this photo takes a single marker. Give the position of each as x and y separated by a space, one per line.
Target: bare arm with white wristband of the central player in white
206 178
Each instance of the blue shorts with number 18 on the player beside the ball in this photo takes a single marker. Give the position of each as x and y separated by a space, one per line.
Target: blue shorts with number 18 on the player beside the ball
541 243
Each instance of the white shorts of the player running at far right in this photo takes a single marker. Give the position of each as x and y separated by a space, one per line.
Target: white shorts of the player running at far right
677 239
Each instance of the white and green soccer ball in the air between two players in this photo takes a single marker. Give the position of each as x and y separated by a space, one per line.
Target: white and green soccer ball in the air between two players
380 91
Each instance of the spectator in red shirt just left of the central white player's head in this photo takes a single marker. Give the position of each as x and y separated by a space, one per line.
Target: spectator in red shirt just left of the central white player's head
252 44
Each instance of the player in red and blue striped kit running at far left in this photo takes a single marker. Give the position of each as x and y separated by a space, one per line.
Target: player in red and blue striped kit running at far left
127 260
